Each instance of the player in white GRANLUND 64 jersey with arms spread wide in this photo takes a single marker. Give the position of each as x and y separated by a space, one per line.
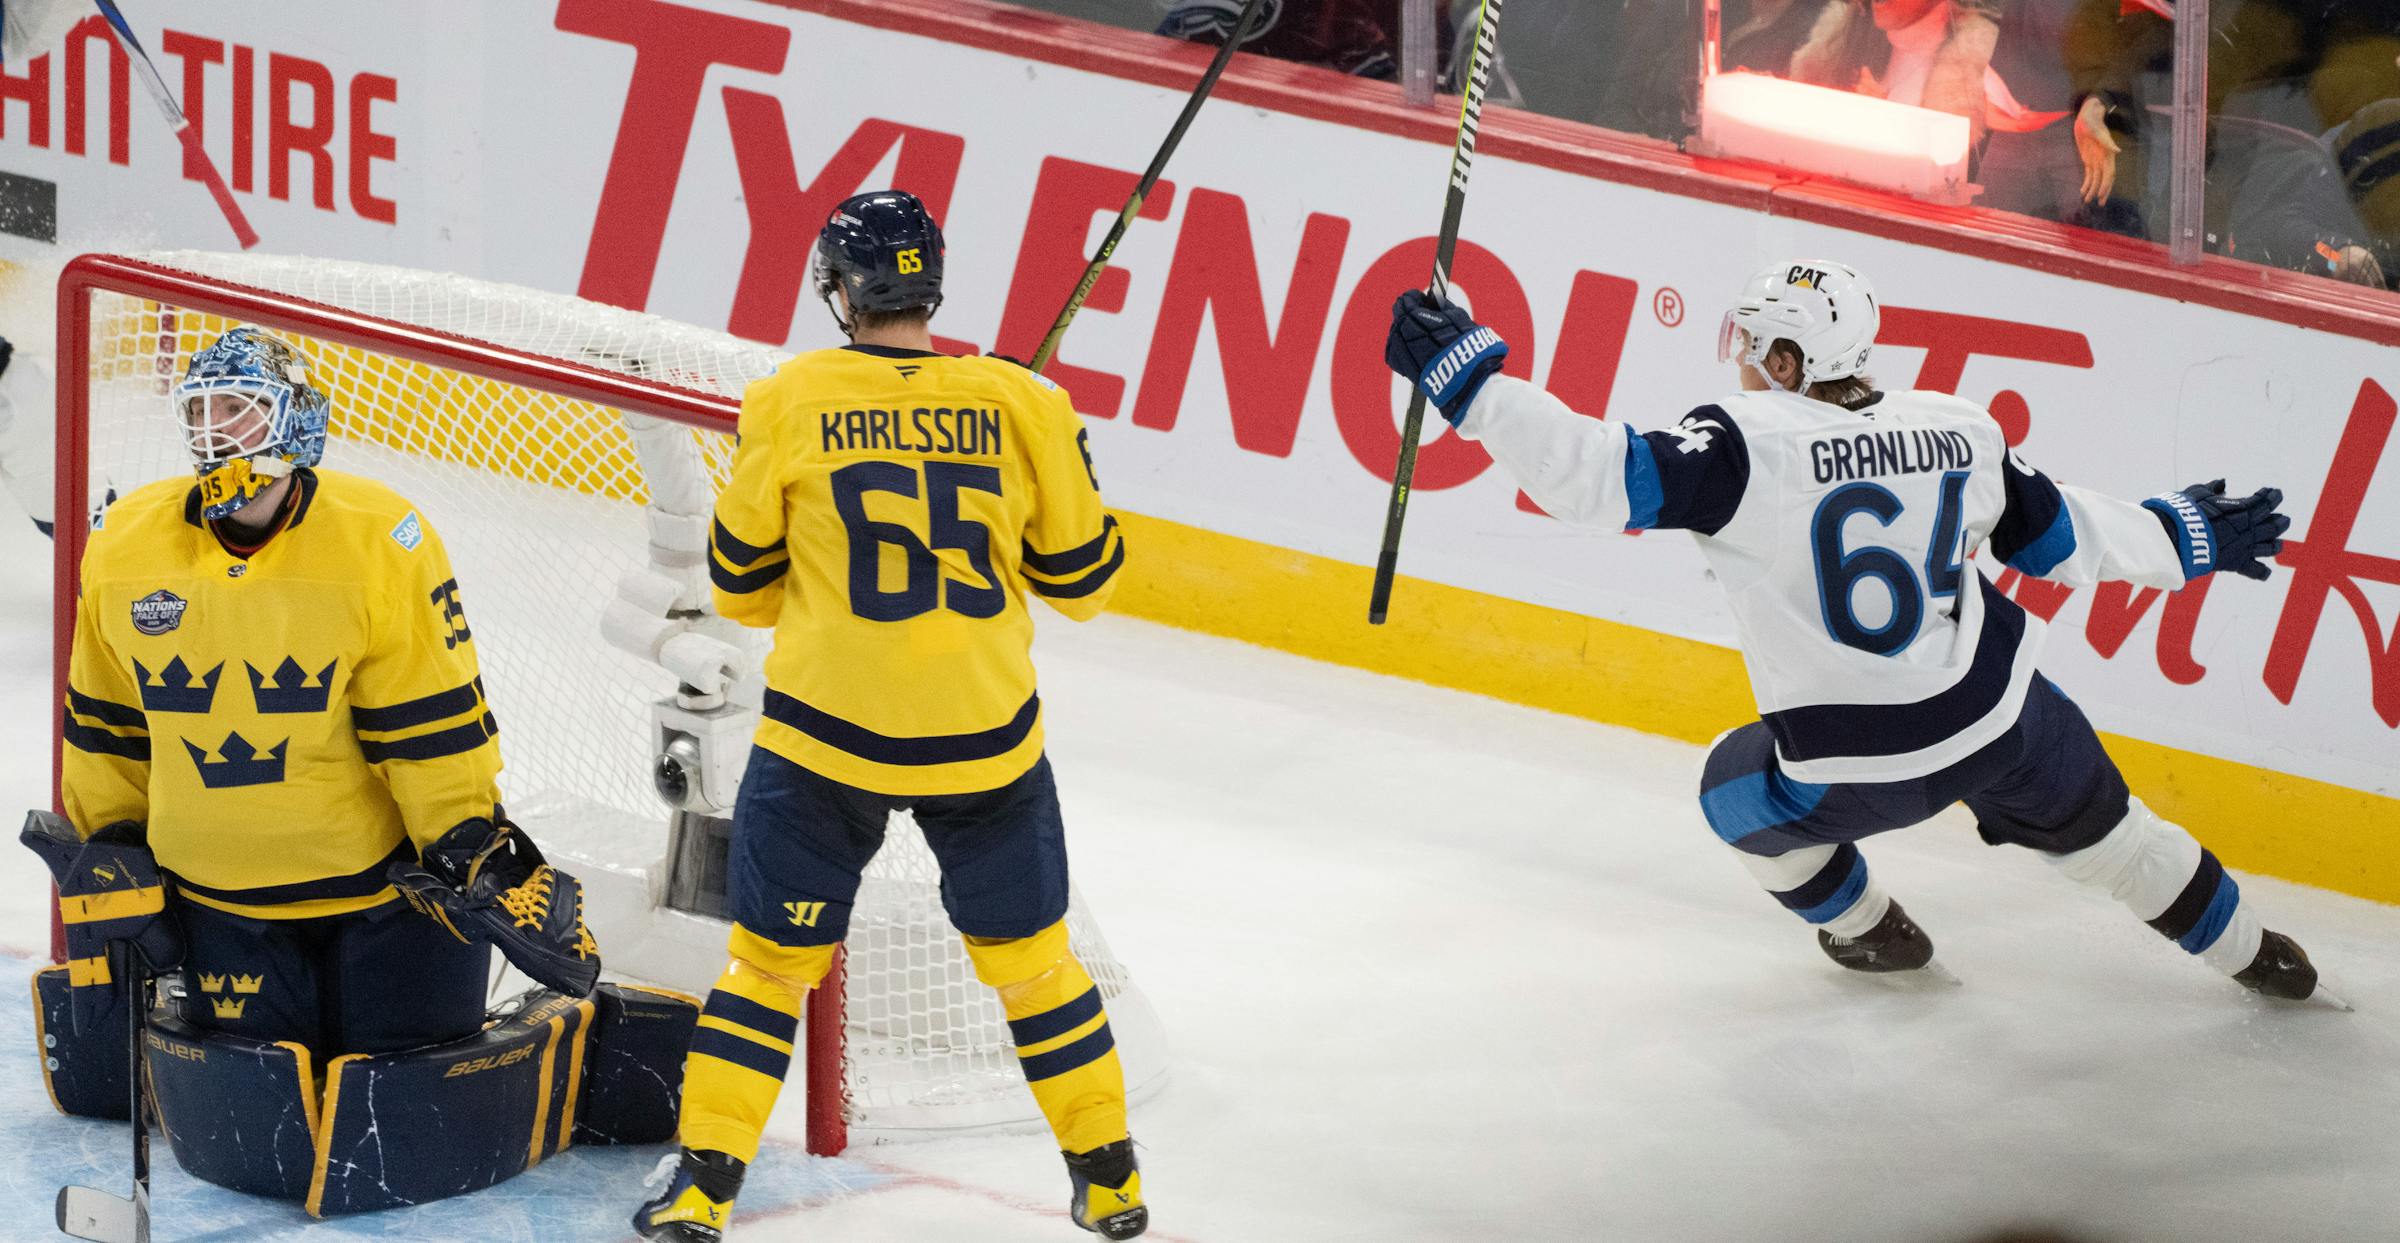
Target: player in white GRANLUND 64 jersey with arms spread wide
1892 678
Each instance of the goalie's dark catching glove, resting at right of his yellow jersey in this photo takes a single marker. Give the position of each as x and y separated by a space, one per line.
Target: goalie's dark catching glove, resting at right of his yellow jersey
491 884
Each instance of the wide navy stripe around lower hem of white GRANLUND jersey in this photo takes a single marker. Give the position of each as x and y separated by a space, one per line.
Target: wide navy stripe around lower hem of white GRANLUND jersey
1842 731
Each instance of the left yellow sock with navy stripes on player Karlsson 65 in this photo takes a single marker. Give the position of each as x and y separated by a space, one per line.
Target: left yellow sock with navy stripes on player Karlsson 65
745 1040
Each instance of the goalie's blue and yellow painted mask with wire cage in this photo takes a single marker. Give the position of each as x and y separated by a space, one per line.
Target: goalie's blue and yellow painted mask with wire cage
248 416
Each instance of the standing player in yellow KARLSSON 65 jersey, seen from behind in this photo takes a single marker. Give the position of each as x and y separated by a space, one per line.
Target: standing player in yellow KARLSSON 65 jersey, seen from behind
889 512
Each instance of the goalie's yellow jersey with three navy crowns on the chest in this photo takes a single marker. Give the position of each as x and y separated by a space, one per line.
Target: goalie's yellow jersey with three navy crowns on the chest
287 723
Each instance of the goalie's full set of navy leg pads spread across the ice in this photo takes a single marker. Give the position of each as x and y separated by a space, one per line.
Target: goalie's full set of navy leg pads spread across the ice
244 1115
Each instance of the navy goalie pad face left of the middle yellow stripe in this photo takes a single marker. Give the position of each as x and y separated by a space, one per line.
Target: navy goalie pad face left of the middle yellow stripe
239 1112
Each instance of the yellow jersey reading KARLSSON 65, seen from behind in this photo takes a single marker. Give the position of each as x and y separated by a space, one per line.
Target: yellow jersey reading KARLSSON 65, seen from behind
887 515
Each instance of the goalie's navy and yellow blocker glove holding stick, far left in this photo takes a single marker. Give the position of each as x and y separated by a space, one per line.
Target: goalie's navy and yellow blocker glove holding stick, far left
109 889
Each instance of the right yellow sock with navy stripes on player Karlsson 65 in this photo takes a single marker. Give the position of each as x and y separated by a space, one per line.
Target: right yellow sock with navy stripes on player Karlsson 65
1062 1035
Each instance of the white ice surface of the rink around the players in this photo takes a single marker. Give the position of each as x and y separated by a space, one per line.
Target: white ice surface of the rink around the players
1448 971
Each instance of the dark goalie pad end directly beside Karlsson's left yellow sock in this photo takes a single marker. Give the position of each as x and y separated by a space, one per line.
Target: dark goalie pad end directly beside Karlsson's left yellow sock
635 1067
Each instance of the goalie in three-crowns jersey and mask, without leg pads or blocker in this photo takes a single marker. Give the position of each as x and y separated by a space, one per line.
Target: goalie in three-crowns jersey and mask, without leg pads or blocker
275 690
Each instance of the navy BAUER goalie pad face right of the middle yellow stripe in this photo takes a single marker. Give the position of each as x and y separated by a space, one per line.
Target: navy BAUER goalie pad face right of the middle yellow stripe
428 1124
